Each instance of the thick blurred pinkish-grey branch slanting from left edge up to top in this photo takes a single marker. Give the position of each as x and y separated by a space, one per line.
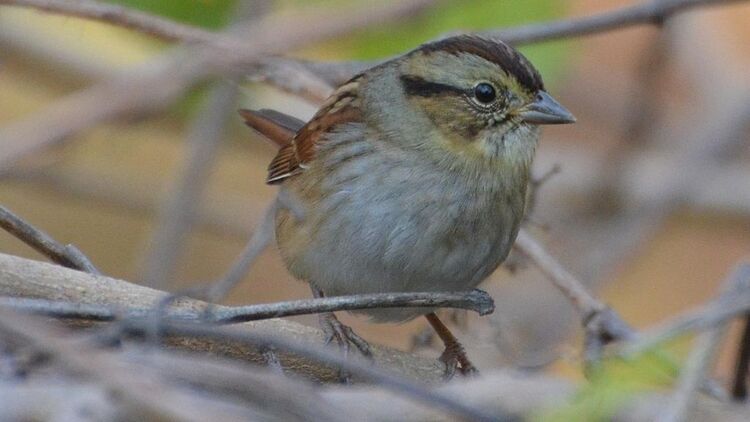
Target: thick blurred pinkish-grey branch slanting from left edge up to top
157 83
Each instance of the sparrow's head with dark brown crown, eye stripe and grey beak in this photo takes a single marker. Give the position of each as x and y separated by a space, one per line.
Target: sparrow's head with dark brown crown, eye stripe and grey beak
473 96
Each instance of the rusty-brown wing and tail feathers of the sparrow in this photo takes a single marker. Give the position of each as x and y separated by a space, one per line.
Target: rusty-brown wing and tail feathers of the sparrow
298 142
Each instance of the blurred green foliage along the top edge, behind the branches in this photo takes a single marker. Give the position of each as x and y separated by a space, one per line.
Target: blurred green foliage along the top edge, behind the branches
388 40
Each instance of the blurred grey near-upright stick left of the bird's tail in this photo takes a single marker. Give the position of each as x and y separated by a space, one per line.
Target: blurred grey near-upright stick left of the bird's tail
177 215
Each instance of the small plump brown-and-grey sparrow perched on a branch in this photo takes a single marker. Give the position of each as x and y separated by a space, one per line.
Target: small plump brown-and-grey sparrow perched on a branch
412 177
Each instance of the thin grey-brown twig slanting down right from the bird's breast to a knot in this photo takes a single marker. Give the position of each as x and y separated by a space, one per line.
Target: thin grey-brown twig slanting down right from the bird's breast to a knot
601 323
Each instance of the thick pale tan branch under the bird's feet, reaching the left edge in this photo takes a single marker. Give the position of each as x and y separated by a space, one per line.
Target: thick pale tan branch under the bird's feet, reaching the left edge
32 279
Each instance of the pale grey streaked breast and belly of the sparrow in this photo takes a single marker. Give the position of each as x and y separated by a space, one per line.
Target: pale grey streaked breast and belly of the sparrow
380 222
